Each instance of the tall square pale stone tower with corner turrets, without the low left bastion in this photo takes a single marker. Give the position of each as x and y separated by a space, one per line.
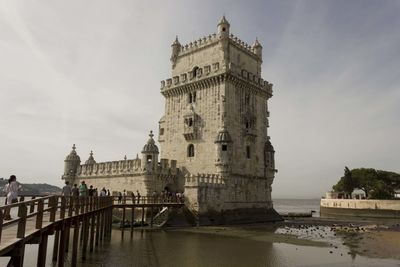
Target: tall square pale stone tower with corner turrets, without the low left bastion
216 125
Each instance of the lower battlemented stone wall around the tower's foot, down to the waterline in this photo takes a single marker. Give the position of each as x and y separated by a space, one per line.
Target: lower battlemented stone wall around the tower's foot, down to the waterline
233 199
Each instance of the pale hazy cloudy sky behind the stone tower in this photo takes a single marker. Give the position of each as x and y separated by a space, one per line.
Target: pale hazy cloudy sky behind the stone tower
88 73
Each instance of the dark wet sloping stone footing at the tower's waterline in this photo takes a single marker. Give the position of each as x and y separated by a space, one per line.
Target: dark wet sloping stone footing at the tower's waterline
239 216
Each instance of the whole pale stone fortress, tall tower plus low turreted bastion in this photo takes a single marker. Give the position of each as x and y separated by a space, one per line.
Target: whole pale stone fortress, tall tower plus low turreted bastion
213 135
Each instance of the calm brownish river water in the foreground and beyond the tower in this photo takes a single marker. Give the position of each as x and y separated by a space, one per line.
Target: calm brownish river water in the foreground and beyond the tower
242 246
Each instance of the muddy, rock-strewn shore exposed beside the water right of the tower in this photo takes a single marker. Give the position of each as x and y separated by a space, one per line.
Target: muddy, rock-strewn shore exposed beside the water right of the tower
374 238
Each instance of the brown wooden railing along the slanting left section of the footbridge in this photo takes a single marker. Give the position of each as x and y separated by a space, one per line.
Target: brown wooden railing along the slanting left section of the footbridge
55 207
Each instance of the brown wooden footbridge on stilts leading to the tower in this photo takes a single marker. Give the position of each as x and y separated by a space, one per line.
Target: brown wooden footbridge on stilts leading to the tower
85 220
